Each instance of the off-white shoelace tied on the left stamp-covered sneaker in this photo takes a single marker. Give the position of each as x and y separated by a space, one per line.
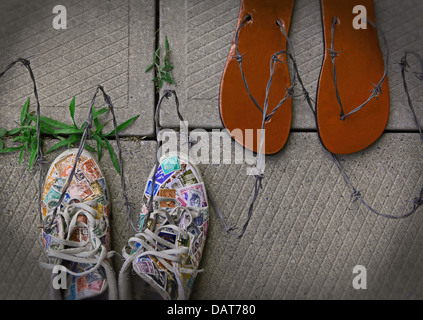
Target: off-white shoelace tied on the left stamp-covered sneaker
90 251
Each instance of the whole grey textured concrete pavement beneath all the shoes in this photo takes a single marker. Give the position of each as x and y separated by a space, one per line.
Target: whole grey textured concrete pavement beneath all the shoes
306 234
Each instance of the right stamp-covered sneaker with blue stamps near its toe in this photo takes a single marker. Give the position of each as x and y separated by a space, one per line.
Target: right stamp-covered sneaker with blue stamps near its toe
163 260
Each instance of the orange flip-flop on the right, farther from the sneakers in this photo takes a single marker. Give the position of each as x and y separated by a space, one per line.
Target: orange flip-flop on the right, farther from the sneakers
352 104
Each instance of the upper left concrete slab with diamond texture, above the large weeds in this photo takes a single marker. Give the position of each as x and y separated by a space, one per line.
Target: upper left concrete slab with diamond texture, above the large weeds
105 43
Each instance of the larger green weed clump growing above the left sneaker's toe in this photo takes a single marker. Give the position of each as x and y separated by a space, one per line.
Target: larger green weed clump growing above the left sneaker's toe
26 134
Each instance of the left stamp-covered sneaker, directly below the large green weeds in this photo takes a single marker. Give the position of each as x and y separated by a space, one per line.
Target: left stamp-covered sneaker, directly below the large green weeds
79 239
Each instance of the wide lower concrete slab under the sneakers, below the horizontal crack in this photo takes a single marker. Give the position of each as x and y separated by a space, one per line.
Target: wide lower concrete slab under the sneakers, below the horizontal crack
305 237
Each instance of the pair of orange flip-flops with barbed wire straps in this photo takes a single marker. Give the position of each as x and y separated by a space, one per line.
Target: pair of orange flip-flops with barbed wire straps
351 113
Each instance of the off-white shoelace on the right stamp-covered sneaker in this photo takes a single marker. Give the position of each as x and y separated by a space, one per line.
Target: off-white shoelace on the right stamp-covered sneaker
163 250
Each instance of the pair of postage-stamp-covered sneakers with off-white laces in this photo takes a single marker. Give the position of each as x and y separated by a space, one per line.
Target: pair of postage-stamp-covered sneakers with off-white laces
160 262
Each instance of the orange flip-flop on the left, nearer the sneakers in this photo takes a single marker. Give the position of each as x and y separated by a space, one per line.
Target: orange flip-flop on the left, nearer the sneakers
259 39
